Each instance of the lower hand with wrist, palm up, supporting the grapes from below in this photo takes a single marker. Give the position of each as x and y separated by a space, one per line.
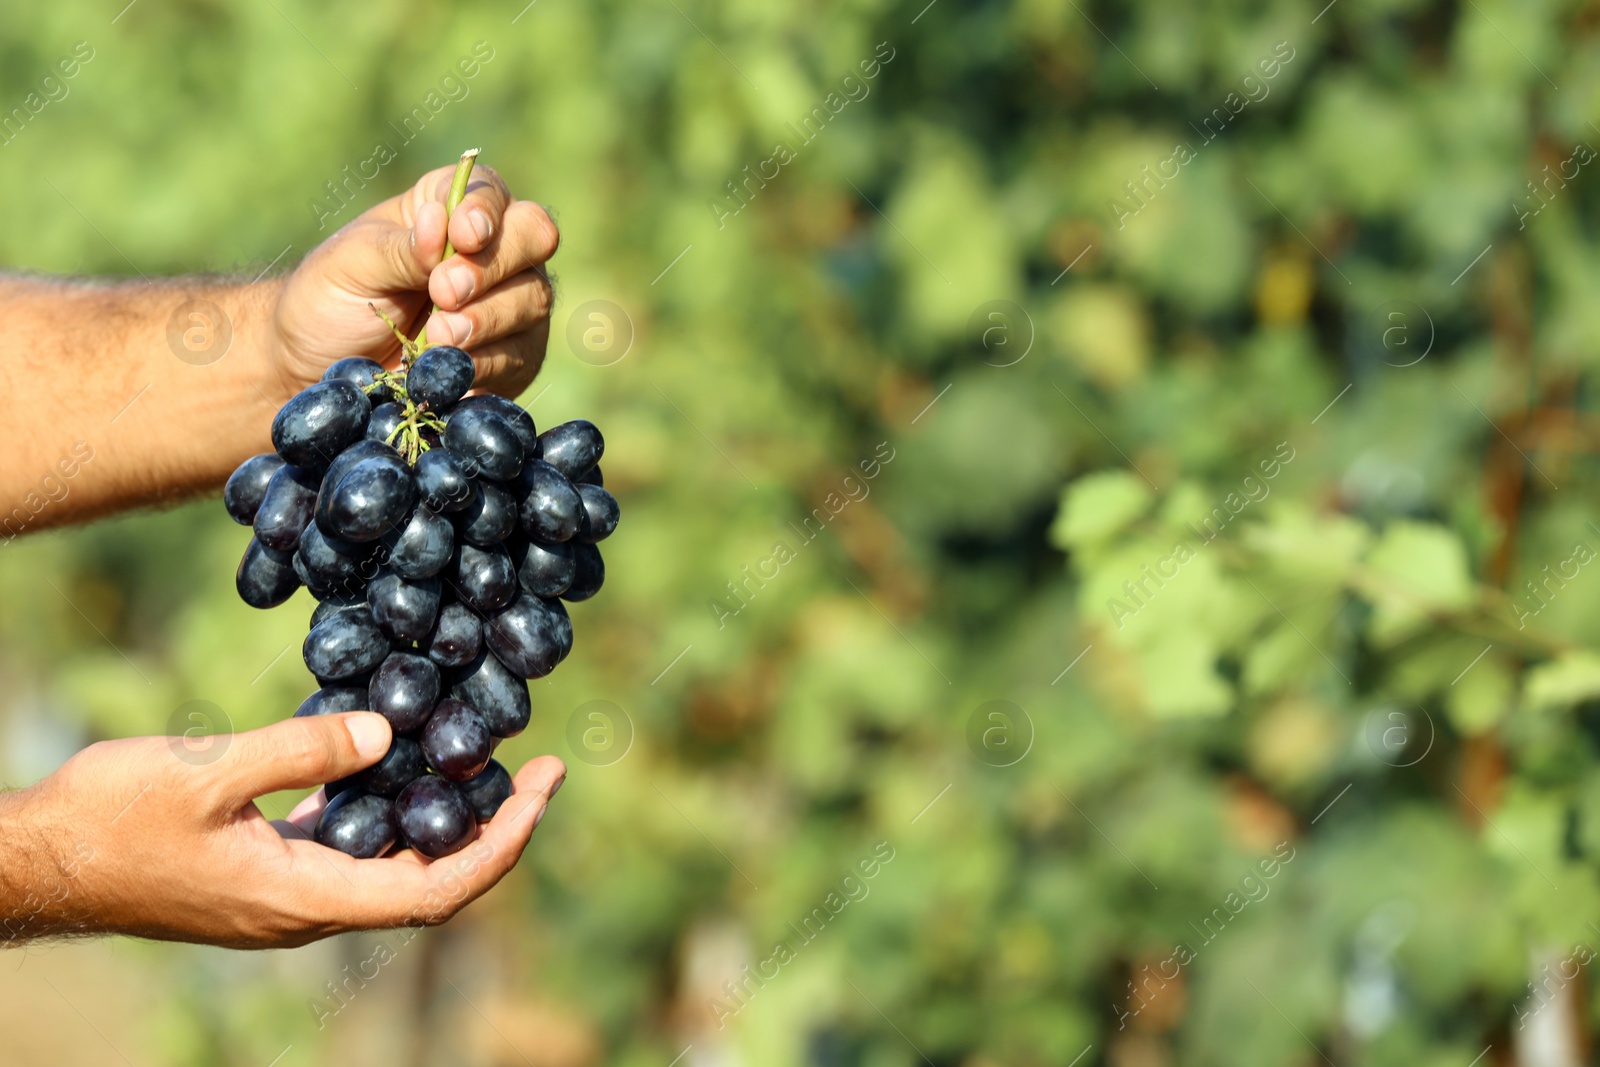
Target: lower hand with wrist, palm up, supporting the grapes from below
130 837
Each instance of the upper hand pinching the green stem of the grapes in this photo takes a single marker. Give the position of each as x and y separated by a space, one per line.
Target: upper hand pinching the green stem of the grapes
494 294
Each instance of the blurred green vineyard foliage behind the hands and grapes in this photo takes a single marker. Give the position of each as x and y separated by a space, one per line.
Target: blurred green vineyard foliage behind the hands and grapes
1236 521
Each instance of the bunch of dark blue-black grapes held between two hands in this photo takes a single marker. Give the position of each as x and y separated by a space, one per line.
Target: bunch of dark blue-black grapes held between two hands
439 533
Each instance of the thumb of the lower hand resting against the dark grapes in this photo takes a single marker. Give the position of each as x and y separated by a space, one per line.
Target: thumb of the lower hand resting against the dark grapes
300 754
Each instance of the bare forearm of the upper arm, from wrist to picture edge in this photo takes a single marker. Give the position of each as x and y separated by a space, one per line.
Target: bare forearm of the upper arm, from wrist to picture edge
119 399
